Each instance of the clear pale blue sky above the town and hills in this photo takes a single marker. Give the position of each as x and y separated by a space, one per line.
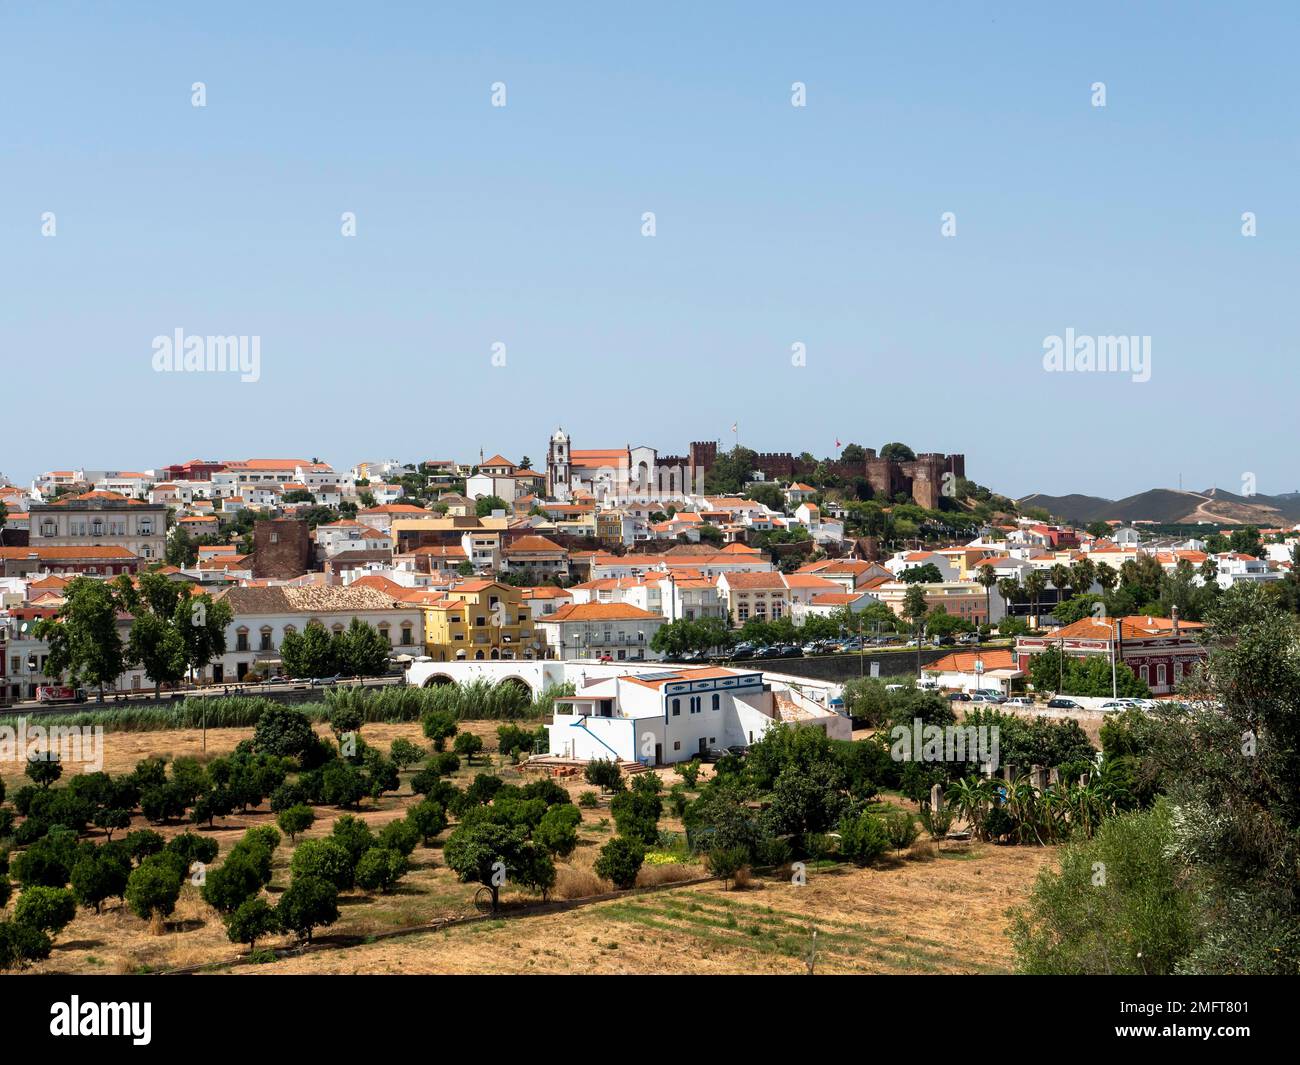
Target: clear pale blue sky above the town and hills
774 226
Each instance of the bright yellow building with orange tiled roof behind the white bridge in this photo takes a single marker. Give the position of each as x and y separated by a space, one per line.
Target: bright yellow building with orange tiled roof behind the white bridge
482 621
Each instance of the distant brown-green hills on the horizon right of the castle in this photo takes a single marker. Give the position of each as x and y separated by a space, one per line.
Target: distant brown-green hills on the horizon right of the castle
1173 506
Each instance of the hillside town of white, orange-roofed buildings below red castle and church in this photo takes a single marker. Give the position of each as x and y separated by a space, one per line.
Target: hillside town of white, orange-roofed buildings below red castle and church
621 555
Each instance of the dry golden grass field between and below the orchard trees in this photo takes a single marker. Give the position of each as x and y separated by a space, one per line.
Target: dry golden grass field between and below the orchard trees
933 911
